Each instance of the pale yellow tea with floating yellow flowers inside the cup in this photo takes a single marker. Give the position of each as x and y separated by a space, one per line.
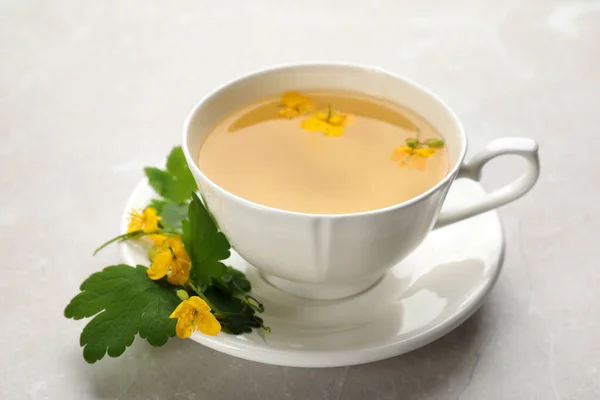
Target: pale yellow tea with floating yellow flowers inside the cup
277 153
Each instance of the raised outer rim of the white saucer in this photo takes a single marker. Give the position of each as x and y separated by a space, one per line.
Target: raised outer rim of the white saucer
237 346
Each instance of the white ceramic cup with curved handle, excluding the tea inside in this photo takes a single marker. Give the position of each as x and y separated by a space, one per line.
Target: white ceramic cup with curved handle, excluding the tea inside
328 256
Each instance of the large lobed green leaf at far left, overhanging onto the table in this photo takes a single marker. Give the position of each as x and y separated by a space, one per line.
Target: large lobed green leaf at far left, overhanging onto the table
123 302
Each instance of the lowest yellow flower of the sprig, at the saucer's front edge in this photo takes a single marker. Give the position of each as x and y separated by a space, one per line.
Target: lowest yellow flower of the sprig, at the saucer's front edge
194 314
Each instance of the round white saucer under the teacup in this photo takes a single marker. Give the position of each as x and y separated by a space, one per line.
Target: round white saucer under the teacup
429 294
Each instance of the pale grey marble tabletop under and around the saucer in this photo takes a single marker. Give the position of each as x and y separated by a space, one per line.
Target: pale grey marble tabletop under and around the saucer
90 92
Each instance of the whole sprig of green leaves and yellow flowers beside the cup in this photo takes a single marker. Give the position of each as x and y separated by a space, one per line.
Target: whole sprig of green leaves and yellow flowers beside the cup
186 288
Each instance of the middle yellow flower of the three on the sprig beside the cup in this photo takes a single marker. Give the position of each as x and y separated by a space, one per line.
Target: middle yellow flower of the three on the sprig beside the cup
172 259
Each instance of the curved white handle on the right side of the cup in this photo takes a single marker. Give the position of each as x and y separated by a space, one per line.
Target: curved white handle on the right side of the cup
525 148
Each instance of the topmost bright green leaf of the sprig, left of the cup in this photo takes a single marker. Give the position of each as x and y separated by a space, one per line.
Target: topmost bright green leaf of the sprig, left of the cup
176 183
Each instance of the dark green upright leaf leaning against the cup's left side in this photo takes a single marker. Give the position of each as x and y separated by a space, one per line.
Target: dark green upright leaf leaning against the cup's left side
204 243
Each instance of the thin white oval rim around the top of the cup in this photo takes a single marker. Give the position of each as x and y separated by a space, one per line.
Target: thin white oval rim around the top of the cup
371 69
